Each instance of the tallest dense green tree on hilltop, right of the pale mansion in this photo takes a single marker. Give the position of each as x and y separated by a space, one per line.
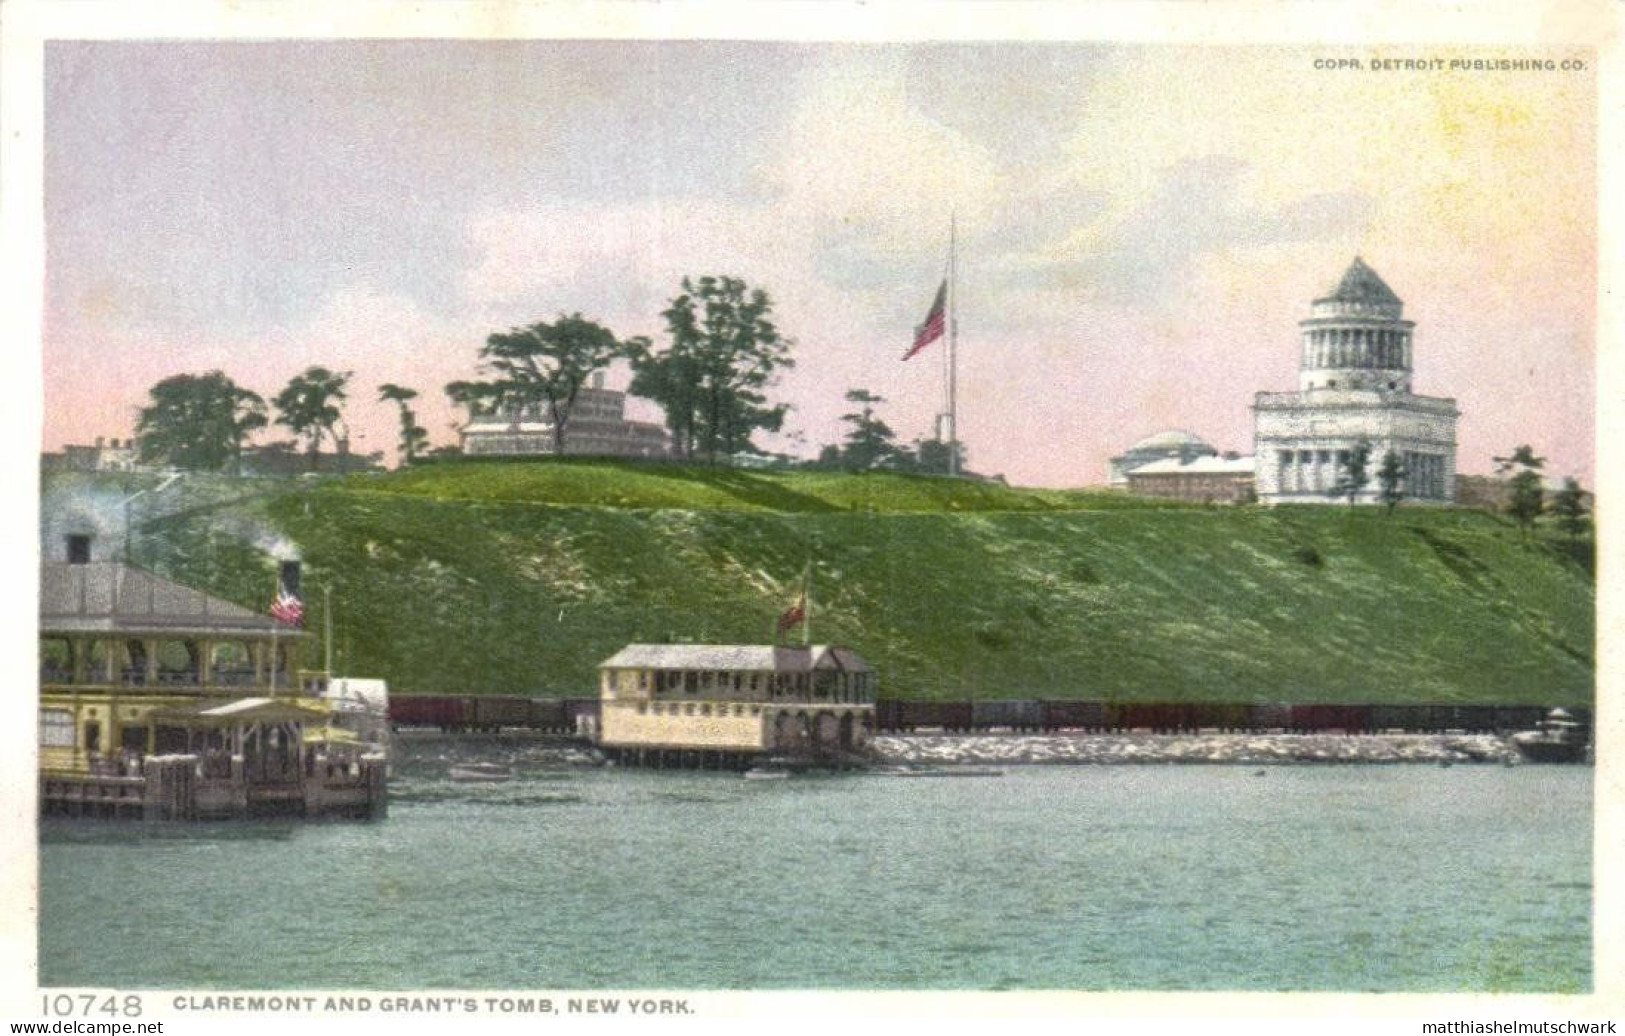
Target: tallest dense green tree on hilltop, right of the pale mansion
724 353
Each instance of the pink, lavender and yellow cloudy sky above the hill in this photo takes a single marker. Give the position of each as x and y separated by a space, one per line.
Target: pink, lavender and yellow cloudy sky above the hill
1140 228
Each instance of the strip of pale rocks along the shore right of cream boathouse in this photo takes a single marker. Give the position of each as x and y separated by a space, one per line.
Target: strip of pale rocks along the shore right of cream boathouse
1252 749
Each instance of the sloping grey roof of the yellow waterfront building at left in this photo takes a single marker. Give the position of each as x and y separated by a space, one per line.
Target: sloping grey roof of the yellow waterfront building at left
115 598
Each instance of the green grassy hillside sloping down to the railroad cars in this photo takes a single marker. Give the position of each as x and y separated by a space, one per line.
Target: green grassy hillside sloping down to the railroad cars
522 577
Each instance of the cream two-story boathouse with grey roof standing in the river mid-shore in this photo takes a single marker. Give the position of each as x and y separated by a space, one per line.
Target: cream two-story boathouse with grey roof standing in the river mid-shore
729 706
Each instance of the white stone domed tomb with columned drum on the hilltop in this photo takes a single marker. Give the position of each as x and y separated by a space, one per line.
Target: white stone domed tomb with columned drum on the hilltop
1354 386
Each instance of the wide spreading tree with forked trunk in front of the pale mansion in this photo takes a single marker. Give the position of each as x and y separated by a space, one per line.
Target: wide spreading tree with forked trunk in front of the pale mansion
548 365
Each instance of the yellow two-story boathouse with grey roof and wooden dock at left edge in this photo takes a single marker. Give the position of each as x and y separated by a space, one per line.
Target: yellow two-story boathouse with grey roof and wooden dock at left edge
158 701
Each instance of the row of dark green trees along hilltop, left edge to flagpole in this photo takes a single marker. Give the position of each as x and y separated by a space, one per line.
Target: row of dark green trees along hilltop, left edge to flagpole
711 379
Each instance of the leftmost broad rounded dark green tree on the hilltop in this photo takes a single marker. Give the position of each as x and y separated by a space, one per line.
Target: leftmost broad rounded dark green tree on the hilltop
199 423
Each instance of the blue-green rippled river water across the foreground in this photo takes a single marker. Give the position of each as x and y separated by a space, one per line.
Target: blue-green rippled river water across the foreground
1047 878
